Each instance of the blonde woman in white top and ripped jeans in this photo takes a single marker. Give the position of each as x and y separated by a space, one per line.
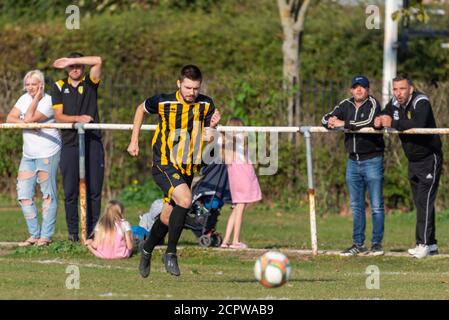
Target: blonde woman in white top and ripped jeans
40 159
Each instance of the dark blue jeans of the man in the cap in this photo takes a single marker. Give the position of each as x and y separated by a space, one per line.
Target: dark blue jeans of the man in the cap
360 175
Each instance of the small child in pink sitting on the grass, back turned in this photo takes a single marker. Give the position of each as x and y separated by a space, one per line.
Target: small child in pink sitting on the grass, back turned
112 238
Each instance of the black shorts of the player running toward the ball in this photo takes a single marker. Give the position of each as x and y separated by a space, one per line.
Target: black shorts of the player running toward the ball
168 178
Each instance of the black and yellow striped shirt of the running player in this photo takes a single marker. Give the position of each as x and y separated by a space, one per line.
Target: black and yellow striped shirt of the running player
178 140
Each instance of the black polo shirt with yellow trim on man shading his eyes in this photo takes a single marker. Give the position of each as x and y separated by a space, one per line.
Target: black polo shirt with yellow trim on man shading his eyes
78 100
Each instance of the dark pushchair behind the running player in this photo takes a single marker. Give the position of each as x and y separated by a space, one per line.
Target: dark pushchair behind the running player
209 195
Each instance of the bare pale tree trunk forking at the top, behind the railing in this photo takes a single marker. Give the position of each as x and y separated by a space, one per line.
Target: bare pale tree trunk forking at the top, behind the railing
292 13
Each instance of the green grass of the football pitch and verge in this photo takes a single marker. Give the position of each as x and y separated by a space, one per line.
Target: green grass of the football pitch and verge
40 273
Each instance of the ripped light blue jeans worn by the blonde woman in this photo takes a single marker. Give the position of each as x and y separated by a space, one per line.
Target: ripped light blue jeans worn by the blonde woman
26 191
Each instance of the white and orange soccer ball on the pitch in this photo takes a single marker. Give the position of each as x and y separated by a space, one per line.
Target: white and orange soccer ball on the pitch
273 269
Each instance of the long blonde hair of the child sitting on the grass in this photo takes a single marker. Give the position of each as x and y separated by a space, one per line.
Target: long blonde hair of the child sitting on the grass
106 225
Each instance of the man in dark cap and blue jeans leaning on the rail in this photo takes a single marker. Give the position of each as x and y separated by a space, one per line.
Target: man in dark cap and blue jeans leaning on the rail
365 164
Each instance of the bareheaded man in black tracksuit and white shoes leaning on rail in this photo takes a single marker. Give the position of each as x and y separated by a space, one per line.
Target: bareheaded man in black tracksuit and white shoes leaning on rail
412 109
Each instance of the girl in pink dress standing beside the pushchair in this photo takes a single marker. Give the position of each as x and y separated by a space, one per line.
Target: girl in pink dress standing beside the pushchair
244 186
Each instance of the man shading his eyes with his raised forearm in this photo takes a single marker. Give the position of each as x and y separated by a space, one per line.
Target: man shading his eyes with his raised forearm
75 100
